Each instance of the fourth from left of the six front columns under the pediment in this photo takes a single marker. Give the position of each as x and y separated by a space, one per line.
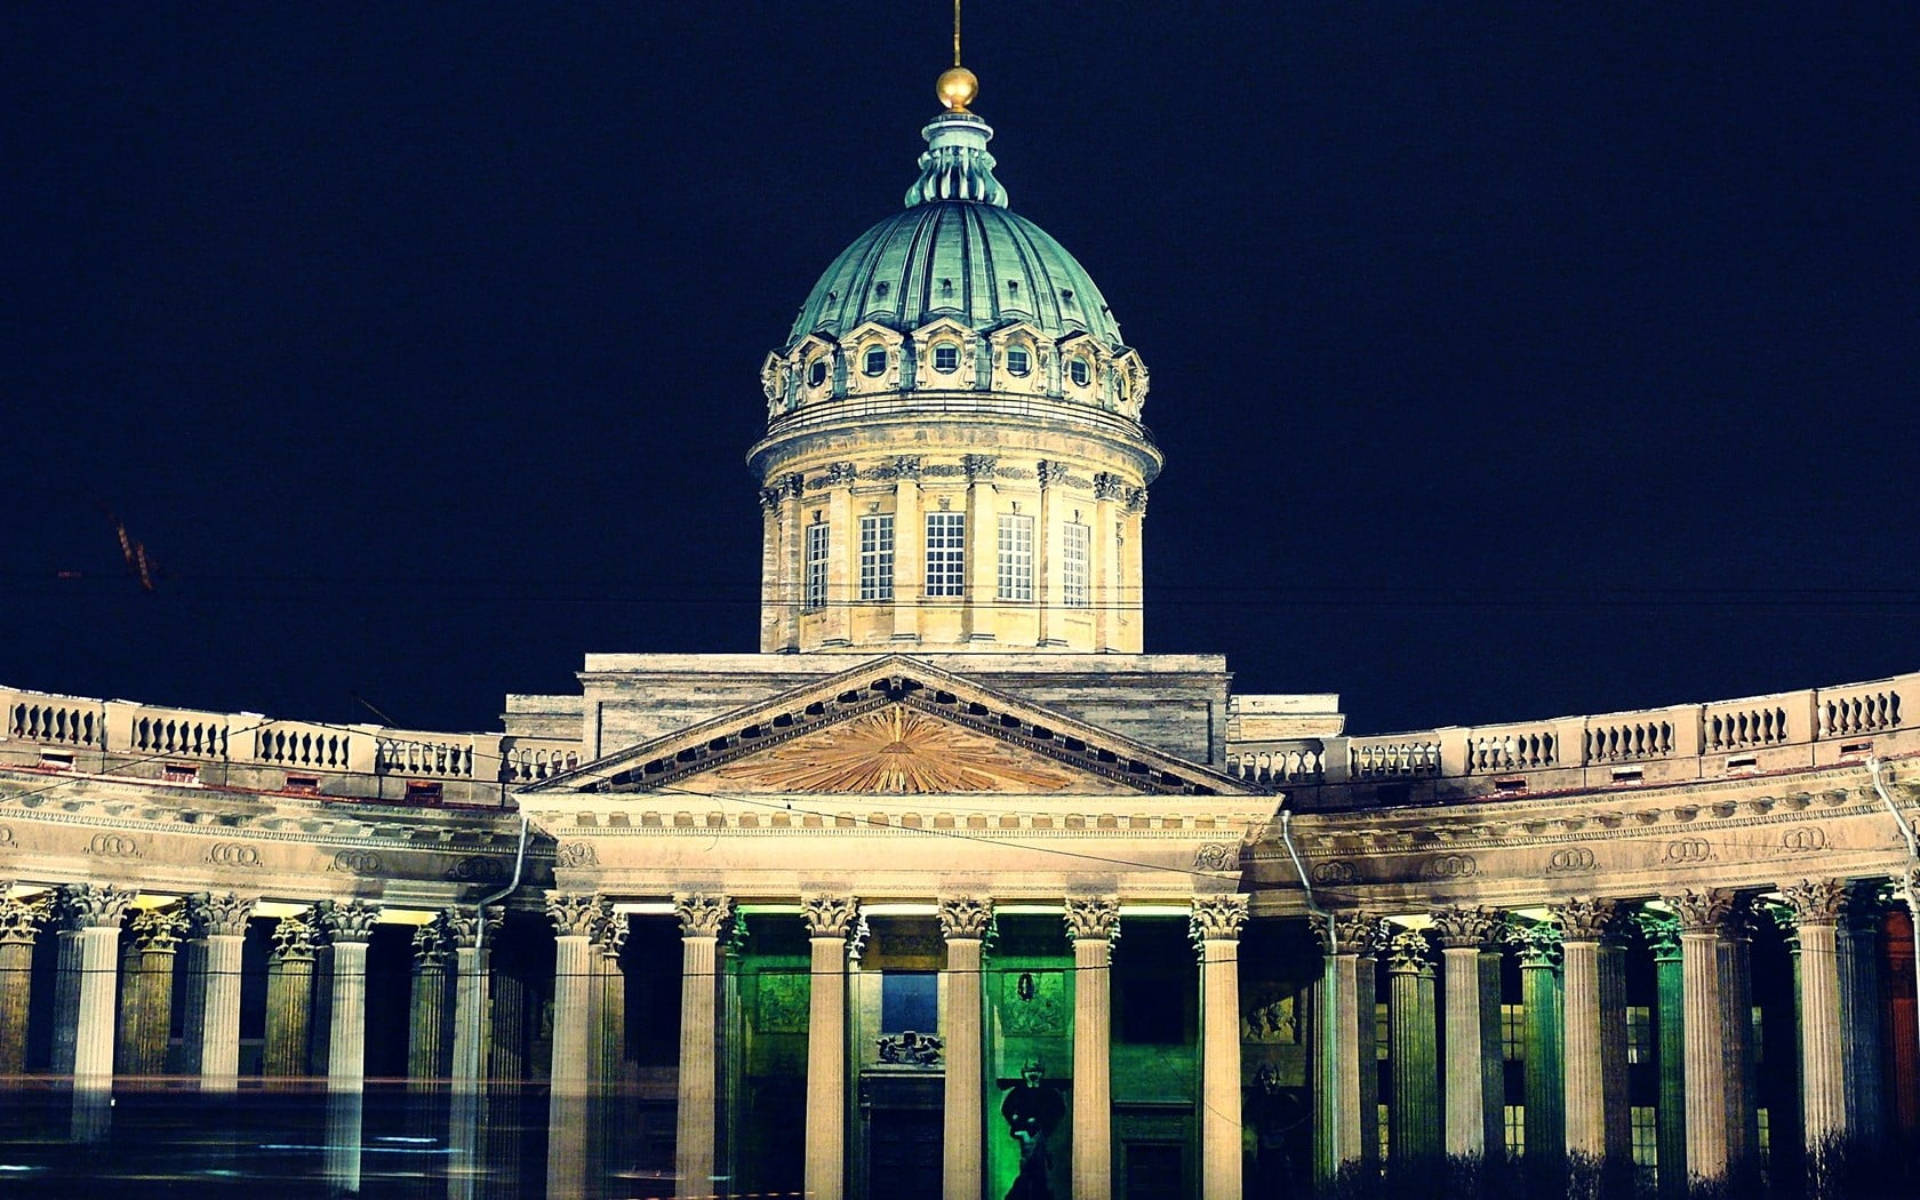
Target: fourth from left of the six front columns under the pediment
965 923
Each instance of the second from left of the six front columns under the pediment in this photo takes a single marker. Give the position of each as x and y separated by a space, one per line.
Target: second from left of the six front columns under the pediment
704 919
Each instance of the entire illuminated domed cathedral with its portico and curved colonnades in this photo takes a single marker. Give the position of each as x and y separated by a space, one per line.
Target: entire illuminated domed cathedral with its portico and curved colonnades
953 890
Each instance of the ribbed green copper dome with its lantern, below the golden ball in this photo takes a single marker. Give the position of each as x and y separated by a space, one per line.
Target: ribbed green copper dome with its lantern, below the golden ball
957 252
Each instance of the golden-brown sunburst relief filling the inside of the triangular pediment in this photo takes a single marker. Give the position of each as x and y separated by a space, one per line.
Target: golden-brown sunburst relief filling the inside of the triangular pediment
900 752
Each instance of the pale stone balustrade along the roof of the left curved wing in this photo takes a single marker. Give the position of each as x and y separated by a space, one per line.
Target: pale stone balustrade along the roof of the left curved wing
276 756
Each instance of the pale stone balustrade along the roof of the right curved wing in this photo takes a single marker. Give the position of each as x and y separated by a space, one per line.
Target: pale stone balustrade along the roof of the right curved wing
1658 746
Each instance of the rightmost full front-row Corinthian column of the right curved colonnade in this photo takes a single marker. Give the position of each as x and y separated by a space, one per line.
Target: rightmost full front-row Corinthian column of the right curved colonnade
1817 907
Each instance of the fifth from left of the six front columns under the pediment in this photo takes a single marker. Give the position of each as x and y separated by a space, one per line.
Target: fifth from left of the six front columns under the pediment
1093 924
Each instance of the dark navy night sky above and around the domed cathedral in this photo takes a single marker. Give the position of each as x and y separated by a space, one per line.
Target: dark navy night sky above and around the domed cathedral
1510 360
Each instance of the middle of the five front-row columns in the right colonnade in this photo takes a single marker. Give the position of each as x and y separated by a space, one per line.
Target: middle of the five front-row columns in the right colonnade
1595 1024
